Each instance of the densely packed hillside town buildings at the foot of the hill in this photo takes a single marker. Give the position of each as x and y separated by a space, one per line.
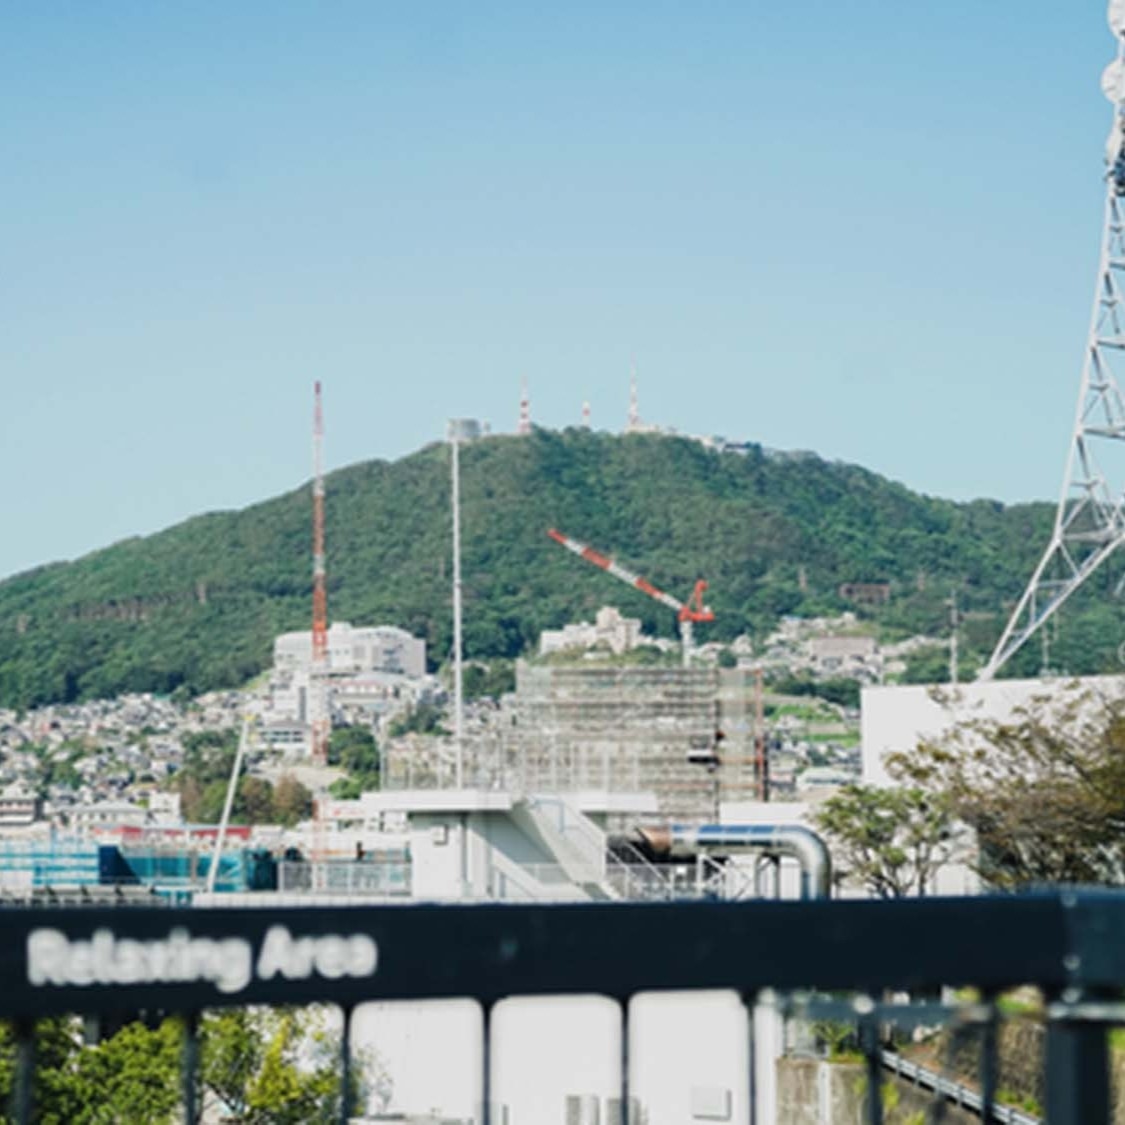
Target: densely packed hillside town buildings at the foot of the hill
86 768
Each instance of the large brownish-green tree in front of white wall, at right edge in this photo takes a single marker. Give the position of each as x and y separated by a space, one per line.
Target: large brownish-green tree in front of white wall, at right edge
1045 789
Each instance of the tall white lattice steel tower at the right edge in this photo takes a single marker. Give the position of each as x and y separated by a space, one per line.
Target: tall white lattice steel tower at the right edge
1091 519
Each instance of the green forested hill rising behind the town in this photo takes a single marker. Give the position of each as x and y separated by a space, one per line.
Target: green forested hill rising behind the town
200 604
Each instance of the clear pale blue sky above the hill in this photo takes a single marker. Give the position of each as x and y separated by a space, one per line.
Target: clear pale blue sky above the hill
866 229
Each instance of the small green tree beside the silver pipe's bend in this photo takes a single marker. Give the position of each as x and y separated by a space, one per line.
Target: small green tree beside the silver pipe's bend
893 841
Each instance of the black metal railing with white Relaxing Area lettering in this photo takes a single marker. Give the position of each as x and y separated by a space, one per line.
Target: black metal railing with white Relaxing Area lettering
857 962
